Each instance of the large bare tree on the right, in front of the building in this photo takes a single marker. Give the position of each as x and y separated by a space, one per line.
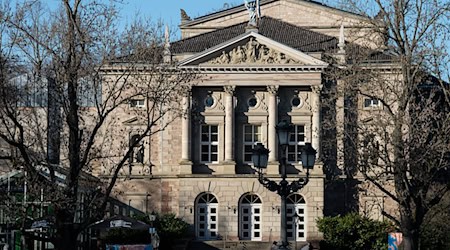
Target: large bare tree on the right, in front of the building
397 123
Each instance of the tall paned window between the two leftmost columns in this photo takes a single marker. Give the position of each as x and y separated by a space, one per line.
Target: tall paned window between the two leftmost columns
209 144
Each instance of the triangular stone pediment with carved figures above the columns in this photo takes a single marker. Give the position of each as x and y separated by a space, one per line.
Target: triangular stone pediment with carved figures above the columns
251 49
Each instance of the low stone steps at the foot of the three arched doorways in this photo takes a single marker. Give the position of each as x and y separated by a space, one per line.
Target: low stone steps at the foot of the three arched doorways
235 245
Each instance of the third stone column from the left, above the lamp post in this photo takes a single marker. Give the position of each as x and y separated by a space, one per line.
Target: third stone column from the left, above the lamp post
272 122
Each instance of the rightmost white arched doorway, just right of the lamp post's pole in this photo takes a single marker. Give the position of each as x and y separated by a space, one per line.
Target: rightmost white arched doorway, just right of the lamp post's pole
296 217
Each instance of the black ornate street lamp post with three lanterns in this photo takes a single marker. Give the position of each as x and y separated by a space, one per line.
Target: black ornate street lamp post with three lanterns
283 188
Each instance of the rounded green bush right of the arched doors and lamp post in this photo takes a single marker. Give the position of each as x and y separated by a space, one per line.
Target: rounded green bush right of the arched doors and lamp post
354 231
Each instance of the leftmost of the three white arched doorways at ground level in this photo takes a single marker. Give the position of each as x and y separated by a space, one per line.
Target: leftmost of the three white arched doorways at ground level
206 216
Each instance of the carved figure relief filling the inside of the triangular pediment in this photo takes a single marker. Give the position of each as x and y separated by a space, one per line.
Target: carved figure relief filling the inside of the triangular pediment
253 52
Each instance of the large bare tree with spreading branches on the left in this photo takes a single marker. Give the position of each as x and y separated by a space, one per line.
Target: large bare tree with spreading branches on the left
89 71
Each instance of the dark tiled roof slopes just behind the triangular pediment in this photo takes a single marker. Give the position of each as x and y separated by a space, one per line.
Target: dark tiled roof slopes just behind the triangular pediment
282 32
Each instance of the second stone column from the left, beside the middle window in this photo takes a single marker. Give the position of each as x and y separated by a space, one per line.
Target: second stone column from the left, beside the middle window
229 125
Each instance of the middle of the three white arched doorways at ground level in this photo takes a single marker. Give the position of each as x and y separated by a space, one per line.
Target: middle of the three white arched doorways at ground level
250 214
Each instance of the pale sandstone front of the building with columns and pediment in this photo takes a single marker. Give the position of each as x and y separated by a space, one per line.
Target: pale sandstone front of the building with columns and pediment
198 167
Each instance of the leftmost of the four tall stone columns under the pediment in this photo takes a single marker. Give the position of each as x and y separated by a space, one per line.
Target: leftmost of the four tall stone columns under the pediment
185 131
